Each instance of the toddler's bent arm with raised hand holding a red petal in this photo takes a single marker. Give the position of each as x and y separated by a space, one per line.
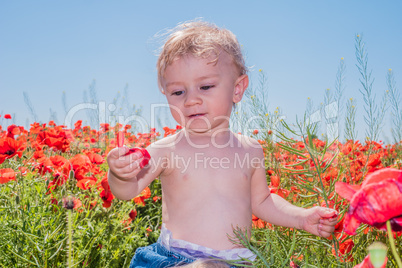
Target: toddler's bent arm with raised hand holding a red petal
126 179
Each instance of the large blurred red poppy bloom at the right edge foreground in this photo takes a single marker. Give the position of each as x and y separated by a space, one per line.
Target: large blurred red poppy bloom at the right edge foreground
375 202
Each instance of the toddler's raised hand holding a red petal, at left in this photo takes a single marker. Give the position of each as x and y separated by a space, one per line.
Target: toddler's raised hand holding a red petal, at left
123 164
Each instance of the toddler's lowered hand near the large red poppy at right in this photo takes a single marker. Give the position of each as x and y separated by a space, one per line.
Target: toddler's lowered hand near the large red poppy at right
320 221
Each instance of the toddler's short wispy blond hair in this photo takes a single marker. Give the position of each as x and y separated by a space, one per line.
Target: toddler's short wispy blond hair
200 39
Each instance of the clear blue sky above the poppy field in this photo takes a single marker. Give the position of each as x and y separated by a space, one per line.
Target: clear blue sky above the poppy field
48 47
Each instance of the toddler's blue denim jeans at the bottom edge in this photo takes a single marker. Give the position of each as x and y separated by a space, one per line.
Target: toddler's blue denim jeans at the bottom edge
156 256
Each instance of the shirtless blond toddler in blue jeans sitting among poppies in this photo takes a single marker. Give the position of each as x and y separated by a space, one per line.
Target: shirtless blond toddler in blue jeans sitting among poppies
212 179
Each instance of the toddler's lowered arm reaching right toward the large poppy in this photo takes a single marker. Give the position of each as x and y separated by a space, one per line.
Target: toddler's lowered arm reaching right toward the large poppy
276 210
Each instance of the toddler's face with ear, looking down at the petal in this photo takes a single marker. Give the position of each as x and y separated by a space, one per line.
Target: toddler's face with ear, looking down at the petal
200 93
